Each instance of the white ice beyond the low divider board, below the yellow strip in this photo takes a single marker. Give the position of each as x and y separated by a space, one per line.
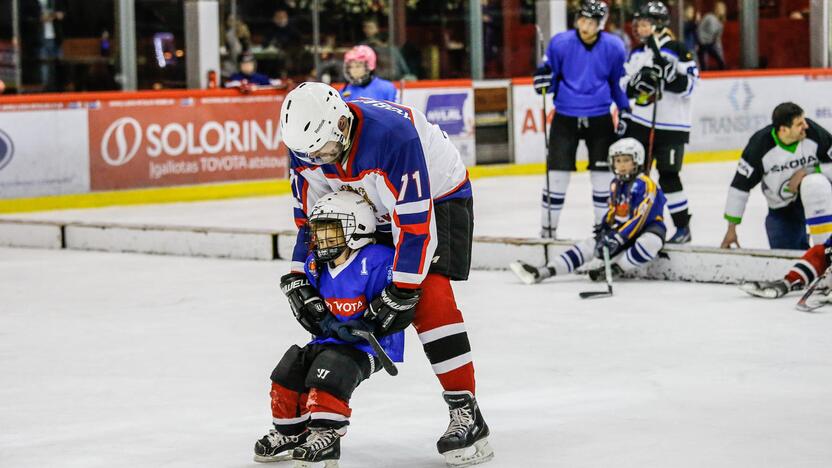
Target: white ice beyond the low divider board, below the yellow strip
504 206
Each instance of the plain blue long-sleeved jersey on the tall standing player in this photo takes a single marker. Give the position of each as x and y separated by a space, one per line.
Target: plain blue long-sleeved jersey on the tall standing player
585 79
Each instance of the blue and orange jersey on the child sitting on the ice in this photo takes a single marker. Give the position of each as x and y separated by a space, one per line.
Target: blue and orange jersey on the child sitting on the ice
634 205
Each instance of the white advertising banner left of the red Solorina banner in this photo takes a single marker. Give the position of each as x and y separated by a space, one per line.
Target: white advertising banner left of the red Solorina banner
43 153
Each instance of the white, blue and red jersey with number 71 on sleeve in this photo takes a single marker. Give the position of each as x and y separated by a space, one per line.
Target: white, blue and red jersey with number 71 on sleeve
403 165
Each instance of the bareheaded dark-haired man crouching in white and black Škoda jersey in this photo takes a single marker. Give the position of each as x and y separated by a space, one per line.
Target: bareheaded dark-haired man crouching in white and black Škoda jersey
791 158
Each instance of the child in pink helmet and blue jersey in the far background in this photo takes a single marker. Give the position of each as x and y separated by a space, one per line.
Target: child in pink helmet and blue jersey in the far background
359 70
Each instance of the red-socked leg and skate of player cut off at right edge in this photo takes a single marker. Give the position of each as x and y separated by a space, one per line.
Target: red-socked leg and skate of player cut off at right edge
814 263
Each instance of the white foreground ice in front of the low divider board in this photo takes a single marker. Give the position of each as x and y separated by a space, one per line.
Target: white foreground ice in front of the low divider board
119 360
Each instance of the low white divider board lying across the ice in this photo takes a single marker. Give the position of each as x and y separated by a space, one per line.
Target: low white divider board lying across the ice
677 263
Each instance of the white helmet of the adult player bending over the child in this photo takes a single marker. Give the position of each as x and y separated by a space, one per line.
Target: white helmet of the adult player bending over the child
309 119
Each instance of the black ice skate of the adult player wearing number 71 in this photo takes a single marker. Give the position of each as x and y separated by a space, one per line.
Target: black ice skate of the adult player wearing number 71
465 442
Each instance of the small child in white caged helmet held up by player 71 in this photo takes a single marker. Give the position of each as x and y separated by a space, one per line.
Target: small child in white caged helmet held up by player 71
312 385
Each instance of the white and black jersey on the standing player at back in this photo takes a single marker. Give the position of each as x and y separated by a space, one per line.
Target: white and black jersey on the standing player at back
673 113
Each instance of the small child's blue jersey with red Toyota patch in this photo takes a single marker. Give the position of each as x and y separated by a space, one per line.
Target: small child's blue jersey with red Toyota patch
349 288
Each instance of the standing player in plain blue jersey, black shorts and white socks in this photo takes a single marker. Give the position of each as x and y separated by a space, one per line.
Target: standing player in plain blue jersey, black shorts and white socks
582 69
